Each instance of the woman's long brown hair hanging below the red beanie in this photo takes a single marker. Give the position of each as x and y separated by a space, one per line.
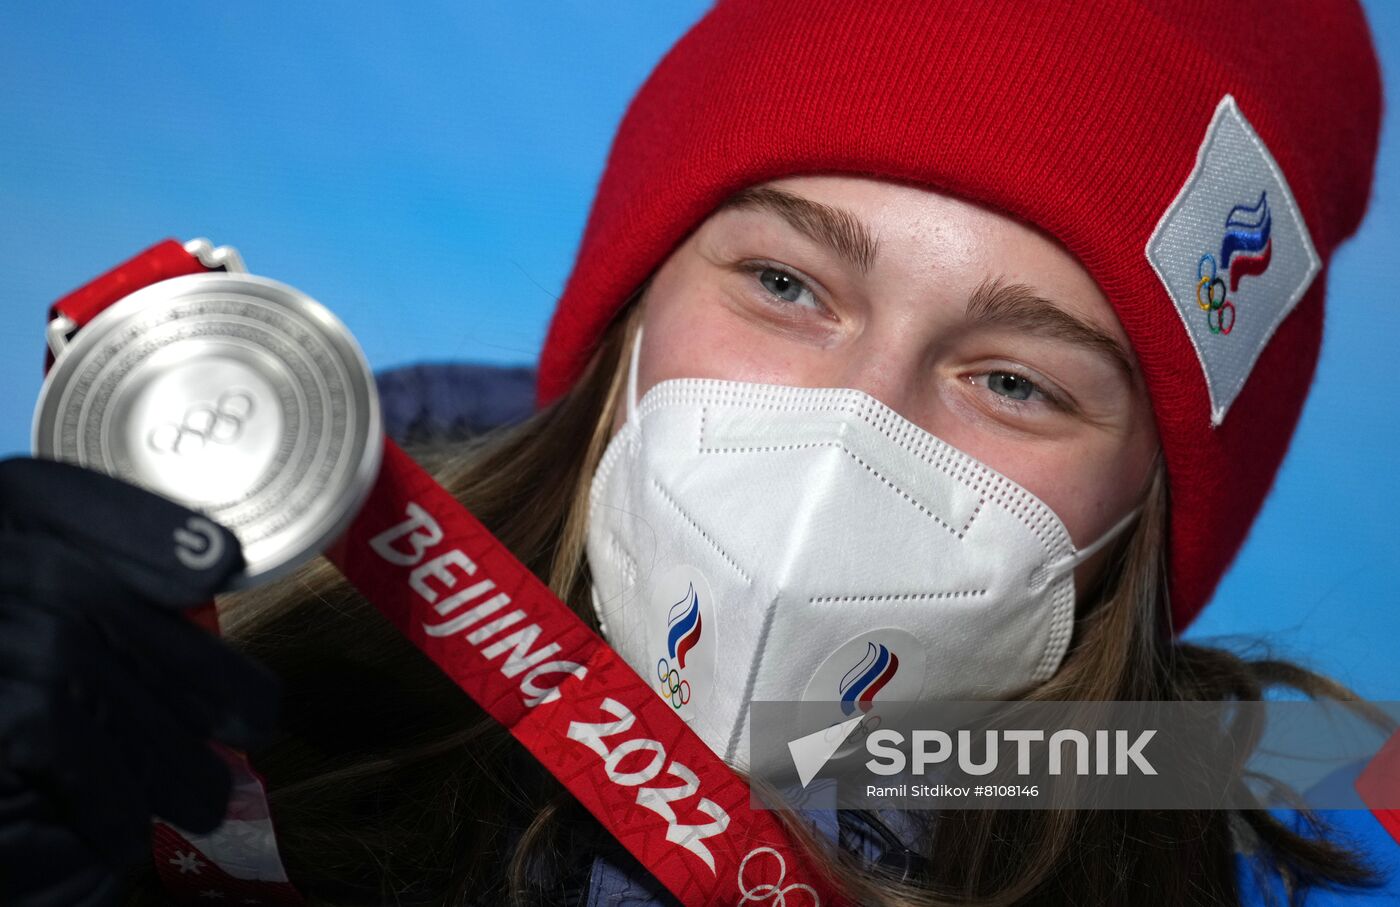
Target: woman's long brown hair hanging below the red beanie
390 786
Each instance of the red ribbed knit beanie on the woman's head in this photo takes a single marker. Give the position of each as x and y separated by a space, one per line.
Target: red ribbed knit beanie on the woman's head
1202 160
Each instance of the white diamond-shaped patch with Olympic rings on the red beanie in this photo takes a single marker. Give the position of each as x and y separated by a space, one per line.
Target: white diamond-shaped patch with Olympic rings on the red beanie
1234 254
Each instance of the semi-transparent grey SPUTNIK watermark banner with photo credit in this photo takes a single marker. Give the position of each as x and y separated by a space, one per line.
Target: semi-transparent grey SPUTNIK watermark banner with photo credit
1226 755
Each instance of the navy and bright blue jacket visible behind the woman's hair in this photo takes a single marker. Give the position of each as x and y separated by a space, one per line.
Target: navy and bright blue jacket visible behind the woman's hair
456 401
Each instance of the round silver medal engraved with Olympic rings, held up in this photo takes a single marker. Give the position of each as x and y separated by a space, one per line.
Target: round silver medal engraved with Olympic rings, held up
232 394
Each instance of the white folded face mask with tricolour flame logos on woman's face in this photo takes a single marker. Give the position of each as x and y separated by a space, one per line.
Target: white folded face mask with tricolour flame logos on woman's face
766 542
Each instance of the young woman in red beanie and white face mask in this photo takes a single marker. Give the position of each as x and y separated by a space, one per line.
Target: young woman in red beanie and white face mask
1076 251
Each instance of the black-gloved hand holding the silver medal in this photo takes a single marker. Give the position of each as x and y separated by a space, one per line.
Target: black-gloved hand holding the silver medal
108 694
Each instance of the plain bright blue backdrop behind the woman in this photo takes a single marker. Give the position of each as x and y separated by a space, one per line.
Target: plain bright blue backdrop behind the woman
426 171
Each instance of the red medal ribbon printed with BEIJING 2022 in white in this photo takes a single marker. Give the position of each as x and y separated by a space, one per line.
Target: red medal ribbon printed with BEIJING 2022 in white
531 663
